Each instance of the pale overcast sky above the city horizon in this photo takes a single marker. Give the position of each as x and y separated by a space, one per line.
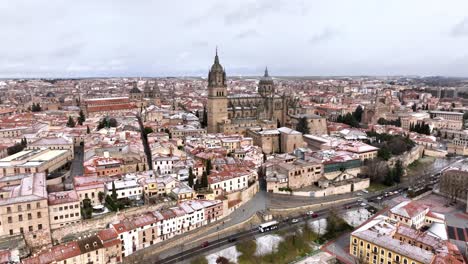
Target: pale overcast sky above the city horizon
89 38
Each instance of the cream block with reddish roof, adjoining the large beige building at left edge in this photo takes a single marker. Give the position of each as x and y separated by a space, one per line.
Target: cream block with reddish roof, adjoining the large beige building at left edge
64 208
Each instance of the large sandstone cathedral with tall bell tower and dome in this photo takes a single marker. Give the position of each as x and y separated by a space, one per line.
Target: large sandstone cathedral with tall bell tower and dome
231 114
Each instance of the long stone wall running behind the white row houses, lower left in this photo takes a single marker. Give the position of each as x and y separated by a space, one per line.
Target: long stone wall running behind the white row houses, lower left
71 232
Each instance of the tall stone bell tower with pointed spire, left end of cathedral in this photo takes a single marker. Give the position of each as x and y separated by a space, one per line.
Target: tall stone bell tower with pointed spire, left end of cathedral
217 96
